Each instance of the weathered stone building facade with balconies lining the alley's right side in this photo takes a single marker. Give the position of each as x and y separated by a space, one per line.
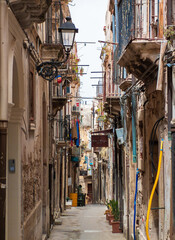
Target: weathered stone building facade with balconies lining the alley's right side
141 66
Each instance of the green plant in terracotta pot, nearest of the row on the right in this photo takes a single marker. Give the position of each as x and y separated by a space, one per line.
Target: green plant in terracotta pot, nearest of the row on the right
115 222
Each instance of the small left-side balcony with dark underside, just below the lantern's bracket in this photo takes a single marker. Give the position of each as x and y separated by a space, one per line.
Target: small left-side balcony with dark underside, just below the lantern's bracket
59 97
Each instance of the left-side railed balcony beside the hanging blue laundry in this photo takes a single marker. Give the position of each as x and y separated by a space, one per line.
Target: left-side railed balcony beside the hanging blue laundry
62 131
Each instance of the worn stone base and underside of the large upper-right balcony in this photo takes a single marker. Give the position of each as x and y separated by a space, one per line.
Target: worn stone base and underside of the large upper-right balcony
140 58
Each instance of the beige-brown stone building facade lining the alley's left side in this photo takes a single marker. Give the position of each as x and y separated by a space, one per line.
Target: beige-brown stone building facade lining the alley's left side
30 180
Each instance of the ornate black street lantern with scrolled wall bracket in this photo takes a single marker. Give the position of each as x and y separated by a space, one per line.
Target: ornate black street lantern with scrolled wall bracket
49 70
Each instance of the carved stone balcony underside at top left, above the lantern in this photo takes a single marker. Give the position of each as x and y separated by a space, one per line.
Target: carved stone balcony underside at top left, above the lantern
29 11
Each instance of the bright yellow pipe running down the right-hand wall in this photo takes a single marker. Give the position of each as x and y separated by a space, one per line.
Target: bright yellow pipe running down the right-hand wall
153 189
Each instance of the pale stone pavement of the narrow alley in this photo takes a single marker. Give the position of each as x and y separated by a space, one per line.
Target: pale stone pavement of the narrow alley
84 223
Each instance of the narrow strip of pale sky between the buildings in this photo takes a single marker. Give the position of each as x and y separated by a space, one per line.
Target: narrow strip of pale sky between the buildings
89 17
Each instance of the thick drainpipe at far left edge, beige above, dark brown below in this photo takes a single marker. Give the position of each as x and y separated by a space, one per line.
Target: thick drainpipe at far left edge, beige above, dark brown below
3 111
